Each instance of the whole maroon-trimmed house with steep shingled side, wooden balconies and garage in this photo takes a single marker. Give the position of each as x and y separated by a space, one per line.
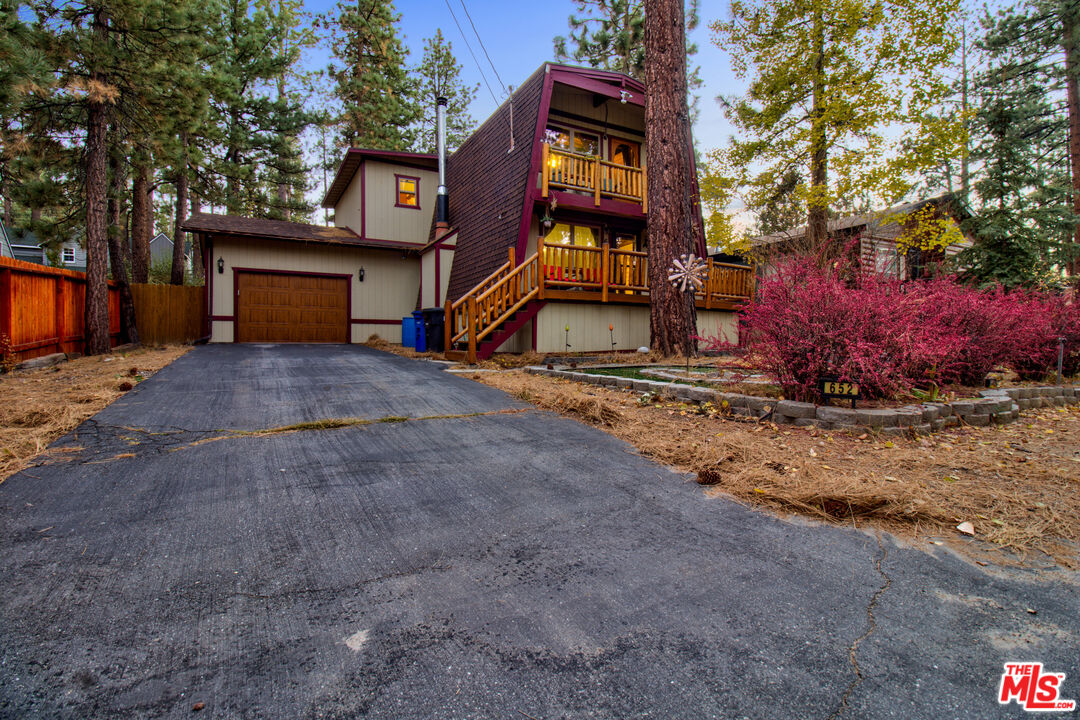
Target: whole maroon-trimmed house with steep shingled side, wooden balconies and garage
543 227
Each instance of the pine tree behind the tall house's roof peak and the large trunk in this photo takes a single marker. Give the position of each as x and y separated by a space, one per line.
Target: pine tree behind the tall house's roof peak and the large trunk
610 35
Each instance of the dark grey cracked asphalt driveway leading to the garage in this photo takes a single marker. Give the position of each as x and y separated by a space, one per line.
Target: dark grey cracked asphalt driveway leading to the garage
511 564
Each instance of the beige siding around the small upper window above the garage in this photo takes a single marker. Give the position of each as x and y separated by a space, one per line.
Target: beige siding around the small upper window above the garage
386 222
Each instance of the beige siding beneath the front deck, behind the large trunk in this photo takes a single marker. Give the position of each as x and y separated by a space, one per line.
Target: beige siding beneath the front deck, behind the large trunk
589 327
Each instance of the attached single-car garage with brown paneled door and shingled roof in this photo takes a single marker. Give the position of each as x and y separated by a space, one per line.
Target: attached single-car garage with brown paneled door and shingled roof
272 281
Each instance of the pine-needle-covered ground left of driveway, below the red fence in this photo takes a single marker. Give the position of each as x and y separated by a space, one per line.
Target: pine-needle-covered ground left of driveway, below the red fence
40 406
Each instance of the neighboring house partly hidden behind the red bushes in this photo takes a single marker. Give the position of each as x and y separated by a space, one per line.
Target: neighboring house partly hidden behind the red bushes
884 237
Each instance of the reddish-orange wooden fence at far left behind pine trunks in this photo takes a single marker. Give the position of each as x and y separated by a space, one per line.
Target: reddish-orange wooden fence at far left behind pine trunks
42 309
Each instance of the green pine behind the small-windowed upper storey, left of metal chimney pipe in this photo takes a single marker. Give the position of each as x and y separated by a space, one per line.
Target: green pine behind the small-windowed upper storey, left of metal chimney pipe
370 76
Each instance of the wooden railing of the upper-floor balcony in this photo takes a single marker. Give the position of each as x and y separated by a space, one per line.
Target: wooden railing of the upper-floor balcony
587 174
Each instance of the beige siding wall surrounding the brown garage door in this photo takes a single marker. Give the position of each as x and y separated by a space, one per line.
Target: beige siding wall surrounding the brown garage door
388 292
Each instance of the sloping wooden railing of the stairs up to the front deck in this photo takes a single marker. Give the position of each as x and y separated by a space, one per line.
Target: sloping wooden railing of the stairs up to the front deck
481 311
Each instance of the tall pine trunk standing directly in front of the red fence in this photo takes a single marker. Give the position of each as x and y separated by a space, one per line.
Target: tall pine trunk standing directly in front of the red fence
97 305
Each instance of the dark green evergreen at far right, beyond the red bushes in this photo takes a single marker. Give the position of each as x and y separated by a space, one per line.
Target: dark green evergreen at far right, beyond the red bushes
1024 220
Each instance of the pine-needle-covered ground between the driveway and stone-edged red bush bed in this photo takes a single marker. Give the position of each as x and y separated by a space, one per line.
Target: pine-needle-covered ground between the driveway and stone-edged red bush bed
1019 485
